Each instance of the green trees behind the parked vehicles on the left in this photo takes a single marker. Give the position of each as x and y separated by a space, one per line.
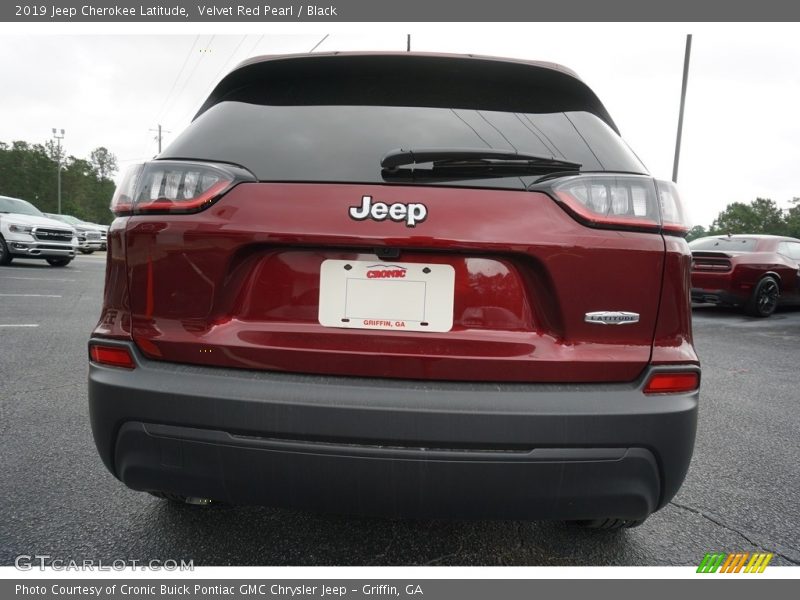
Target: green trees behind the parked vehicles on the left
30 172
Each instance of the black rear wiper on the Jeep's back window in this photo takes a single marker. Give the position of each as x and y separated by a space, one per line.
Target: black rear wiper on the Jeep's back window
469 158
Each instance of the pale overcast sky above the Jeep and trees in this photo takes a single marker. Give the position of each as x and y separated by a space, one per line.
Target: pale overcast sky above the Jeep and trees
741 130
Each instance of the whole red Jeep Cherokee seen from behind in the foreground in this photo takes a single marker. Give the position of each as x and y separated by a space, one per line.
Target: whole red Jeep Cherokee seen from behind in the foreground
399 284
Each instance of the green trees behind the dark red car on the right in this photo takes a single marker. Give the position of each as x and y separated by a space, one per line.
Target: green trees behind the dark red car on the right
762 215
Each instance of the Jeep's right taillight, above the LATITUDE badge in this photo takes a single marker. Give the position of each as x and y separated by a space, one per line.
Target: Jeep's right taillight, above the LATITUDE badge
622 202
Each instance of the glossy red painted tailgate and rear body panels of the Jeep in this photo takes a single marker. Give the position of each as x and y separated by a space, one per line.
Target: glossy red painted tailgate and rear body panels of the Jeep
237 285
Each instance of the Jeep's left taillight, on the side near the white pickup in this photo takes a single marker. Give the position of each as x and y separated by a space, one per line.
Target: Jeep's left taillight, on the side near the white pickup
174 187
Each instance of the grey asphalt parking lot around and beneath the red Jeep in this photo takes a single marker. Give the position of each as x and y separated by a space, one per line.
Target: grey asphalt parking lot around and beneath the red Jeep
741 493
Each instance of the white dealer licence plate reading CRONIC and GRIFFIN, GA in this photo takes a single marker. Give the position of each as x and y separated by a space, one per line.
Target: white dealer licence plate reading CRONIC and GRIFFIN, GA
360 294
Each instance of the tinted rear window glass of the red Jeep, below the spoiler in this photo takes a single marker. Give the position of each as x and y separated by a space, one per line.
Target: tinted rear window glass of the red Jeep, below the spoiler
345 143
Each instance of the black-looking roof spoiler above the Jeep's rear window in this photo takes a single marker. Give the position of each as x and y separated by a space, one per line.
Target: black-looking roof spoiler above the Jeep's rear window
408 79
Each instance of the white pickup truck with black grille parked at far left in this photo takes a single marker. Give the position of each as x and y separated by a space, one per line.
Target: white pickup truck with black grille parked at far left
25 232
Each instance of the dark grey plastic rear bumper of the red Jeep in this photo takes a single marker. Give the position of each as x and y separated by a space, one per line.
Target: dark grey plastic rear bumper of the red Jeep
399 448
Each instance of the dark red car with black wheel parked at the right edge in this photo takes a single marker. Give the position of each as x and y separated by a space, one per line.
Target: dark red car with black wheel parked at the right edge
757 273
